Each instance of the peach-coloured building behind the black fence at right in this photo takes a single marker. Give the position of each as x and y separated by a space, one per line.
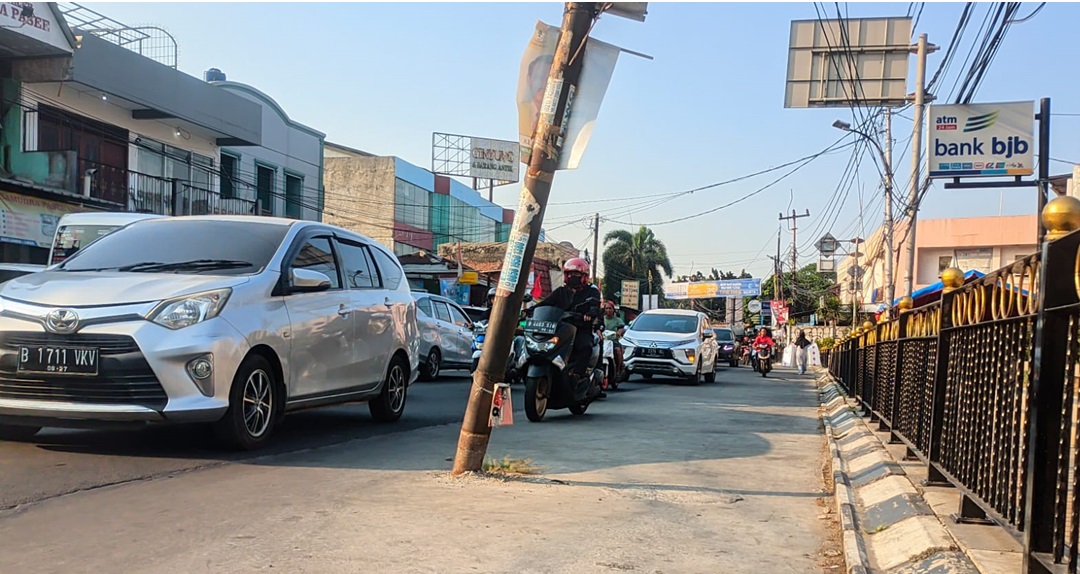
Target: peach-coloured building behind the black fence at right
970 244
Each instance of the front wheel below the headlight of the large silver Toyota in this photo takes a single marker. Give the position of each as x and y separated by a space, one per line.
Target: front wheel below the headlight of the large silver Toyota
253 407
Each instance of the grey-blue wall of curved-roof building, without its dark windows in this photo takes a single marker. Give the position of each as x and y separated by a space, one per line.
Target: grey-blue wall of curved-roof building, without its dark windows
288 149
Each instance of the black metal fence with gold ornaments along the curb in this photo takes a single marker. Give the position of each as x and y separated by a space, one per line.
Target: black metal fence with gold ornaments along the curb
983 388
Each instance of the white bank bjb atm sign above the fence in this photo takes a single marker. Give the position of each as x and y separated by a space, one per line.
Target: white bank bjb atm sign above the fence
982 140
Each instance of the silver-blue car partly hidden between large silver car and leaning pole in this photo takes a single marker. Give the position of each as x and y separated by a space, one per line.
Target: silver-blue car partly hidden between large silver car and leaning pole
447 336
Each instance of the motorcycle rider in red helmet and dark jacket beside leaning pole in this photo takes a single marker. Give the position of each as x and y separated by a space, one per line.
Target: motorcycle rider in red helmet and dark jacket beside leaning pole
576 291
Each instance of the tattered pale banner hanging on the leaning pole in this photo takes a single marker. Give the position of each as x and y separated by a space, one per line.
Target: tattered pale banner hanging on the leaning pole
534 97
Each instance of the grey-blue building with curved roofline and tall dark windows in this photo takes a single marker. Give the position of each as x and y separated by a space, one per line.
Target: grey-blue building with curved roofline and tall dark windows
285 175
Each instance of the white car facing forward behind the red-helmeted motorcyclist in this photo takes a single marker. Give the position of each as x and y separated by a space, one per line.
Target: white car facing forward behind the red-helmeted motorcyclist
671 342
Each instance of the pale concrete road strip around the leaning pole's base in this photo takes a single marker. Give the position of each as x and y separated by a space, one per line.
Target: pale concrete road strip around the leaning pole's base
724 477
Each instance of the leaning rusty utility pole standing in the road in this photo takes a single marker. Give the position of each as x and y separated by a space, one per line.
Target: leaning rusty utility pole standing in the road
547 145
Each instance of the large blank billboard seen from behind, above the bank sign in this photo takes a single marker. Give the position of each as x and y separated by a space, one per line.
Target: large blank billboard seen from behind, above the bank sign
854 62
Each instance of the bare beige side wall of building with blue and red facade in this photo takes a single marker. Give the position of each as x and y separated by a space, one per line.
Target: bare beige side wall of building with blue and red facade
356 186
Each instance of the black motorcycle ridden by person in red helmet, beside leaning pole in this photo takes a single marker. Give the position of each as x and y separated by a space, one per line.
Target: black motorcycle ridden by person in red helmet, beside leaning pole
550 382
